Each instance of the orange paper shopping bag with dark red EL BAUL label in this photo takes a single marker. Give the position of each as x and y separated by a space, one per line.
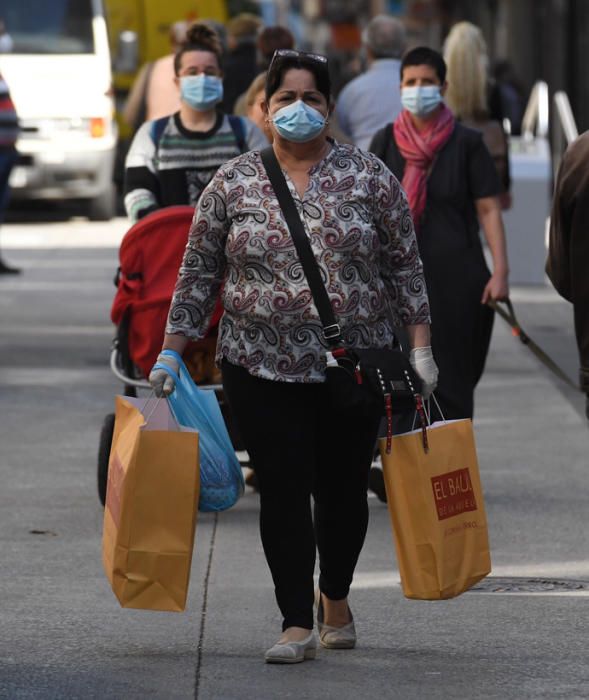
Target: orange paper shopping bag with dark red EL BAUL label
437 511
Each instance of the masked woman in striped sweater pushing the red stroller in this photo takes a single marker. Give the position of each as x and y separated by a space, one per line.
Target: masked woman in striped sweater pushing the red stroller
172 159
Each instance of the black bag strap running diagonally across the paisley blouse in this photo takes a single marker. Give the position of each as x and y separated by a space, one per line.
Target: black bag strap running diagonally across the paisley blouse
331 329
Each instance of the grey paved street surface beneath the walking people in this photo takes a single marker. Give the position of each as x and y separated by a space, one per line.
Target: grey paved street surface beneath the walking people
62 633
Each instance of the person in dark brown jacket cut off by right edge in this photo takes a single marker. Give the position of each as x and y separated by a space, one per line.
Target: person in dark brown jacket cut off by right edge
568 255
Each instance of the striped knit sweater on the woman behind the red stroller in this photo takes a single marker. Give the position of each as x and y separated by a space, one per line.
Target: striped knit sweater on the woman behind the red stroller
177 168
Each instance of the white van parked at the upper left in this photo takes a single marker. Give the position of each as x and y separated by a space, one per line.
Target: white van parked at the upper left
59 75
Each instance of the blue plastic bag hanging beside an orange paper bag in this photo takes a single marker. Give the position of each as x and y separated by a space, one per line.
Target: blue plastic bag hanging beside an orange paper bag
221 478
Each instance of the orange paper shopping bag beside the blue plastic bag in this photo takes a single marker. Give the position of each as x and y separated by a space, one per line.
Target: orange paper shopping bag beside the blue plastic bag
151 506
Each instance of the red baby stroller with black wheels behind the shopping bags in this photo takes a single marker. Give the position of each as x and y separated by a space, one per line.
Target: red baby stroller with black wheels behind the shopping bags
150 255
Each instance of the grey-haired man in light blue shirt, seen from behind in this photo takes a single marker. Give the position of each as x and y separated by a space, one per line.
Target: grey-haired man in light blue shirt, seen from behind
372 99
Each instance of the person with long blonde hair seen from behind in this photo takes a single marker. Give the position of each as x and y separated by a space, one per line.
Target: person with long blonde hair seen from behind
470 95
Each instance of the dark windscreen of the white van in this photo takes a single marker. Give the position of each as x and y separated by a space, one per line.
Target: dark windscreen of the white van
41 27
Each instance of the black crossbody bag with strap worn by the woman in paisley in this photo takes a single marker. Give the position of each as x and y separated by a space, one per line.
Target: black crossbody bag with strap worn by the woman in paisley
373 381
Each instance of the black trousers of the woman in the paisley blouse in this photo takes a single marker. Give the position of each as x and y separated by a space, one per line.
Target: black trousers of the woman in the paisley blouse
300 448
